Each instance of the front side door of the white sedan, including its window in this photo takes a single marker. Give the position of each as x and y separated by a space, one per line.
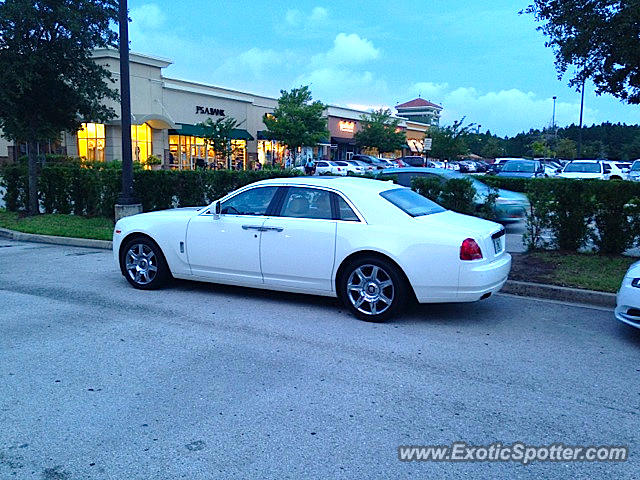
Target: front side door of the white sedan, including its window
227 248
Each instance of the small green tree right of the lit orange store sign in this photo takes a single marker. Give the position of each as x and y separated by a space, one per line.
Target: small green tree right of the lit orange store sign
380 130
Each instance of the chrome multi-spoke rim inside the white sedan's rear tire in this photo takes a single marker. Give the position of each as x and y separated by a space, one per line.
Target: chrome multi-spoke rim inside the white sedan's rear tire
370 289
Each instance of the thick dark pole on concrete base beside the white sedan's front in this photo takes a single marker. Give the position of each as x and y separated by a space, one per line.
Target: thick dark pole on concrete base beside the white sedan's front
126 204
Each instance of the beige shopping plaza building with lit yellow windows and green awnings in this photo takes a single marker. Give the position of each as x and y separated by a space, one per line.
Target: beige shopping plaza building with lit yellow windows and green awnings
166 113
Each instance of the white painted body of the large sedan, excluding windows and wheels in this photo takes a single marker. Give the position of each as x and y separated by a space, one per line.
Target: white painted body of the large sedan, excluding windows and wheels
305 254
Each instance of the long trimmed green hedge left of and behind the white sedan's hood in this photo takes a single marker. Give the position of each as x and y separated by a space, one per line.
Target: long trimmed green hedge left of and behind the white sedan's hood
93 190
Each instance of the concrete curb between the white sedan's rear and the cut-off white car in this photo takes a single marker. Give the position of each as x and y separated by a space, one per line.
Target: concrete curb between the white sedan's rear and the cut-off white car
562 294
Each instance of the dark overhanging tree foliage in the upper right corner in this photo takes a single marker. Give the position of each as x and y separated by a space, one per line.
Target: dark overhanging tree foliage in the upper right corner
598 38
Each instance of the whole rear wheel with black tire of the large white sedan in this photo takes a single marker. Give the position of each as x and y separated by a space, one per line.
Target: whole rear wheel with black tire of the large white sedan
370 292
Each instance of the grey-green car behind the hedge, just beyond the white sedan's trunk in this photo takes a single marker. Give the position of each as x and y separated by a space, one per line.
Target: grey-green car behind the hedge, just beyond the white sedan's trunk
510 206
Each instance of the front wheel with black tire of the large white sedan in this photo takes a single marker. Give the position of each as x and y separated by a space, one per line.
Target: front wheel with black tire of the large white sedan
150 270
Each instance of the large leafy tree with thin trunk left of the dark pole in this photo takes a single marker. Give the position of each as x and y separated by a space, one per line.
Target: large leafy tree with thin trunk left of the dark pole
49 83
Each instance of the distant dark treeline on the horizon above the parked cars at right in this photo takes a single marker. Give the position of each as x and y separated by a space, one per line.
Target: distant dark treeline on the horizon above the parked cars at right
608 140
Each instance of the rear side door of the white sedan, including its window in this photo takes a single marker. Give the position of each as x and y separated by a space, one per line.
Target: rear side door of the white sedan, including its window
297 249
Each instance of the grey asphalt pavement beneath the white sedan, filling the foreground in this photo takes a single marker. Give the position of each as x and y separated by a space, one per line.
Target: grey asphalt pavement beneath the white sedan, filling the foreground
202 381
